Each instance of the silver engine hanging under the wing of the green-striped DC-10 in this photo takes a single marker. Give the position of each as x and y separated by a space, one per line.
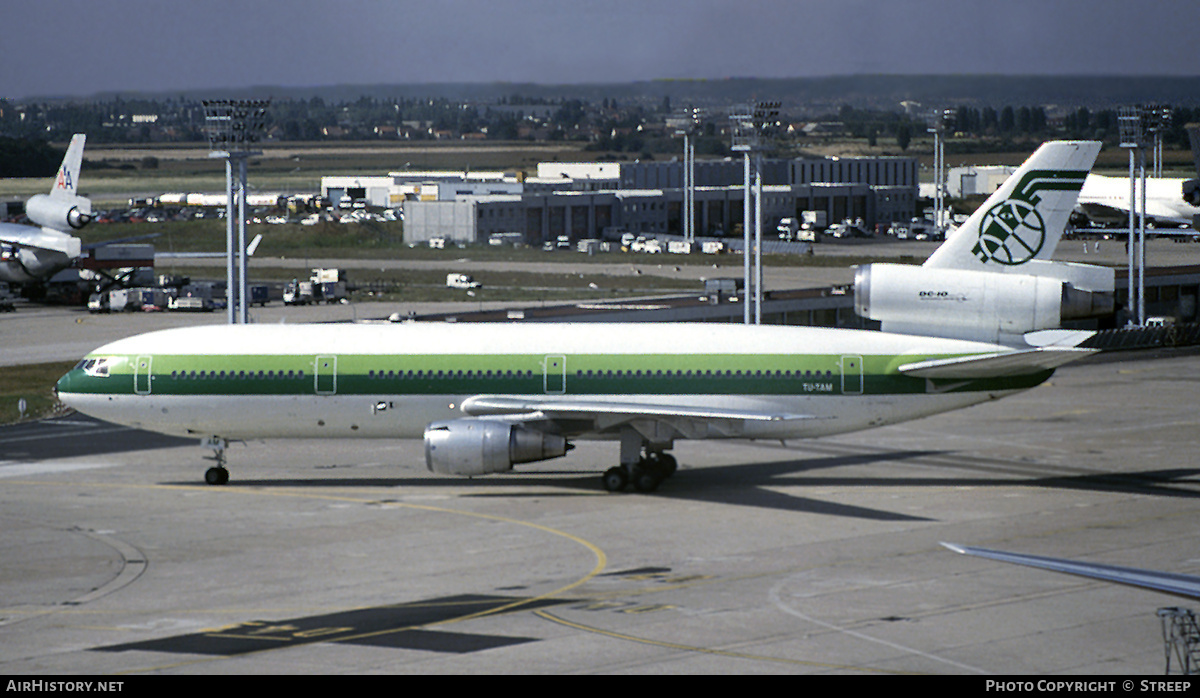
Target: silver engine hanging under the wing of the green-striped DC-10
473 447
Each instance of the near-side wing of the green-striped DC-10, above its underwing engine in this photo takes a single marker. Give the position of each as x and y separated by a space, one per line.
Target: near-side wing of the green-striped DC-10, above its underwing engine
481 406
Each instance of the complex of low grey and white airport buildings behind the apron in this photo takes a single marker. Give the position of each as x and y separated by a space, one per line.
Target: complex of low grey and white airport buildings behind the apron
590 201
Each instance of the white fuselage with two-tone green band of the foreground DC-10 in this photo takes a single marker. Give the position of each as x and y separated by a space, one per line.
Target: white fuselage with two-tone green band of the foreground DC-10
344 381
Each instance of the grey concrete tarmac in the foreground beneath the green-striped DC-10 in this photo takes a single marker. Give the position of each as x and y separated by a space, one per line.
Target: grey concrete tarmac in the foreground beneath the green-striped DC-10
812 557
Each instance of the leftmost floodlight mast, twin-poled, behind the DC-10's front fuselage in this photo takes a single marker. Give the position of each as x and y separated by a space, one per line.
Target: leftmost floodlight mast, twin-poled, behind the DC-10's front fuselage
233 128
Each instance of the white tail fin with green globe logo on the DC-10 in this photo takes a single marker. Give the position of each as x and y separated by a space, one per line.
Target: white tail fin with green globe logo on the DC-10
1027 216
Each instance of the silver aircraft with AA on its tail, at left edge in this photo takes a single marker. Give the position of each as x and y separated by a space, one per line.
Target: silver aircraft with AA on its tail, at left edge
31 254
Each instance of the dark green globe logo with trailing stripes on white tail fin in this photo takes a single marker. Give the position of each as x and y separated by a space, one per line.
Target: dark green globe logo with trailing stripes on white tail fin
1013 232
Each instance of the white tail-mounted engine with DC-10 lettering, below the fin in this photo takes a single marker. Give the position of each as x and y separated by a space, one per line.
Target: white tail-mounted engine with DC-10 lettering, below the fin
969 305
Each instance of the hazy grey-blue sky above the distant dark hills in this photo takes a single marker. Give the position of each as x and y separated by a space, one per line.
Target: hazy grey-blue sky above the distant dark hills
82 47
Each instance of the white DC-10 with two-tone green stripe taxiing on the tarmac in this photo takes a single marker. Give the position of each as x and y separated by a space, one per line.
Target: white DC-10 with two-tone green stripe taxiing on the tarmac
489 396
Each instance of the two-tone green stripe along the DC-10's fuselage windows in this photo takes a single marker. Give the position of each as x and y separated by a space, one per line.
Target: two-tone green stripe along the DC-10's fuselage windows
759 375
